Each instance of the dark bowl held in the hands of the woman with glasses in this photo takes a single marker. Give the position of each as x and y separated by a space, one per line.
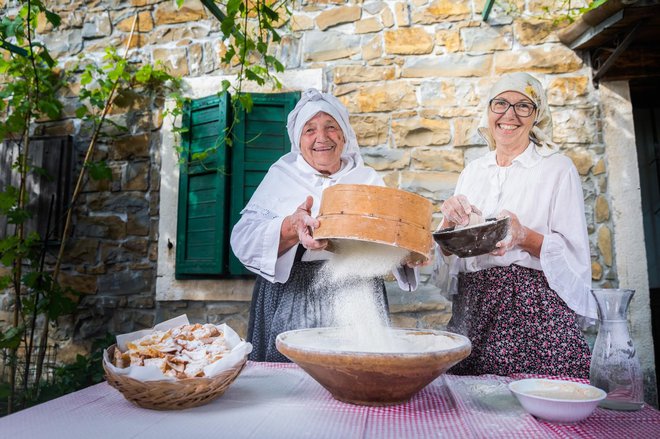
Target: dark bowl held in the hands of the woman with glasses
474 240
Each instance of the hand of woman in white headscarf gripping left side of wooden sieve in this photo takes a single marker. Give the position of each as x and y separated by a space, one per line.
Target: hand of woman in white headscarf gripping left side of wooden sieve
298 228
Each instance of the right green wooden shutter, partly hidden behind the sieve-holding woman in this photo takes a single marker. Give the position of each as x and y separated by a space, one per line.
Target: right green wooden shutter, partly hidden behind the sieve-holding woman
260 138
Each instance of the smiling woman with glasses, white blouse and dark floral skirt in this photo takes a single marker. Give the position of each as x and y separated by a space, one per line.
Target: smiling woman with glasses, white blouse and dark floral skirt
519 305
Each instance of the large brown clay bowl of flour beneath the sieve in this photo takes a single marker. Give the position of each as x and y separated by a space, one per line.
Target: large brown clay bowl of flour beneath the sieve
373 378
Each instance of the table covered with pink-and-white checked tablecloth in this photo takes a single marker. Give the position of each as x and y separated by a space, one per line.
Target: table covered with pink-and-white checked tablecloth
275 400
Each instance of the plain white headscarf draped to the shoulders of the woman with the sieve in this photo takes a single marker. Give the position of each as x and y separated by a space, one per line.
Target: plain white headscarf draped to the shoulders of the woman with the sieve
291 179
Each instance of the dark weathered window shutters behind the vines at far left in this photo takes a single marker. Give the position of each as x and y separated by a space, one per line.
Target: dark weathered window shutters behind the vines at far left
48 184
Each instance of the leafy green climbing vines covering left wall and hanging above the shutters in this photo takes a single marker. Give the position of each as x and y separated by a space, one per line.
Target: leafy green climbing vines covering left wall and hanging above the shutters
32 86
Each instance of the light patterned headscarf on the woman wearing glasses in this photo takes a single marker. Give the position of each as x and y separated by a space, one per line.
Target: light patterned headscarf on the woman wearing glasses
526 84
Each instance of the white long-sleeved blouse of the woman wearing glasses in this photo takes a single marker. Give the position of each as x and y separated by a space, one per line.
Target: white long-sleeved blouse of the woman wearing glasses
545 192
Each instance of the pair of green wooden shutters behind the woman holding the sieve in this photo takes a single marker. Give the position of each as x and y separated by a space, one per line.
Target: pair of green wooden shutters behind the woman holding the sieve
214 187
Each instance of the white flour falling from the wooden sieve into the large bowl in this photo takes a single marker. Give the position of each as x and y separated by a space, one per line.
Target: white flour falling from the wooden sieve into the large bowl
352 277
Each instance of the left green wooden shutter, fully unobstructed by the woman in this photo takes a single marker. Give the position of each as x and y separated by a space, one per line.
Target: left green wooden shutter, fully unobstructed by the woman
202 239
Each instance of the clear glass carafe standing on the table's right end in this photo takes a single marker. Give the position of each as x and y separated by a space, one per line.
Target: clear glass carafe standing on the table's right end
615 367
